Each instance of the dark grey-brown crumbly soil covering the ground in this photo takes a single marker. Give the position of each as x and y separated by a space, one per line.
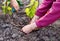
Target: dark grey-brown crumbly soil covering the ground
10 27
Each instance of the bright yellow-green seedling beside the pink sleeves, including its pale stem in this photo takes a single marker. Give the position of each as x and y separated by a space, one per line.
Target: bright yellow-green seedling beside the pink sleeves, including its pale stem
31 8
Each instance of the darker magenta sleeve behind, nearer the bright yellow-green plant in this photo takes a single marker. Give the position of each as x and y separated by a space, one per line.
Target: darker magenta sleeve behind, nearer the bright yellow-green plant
44 7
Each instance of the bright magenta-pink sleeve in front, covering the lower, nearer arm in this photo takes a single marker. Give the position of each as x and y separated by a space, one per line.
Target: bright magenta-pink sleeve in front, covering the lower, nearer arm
51 16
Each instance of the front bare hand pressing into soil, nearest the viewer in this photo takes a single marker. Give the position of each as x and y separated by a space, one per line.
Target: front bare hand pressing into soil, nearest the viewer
29 28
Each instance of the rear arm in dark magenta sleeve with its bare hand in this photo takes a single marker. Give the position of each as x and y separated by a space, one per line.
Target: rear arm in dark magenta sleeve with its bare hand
42 9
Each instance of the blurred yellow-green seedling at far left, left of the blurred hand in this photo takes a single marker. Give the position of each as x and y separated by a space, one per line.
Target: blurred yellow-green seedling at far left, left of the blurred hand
6 8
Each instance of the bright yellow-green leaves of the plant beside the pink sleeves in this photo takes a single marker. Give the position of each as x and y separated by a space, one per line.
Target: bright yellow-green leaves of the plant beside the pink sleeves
30 11
